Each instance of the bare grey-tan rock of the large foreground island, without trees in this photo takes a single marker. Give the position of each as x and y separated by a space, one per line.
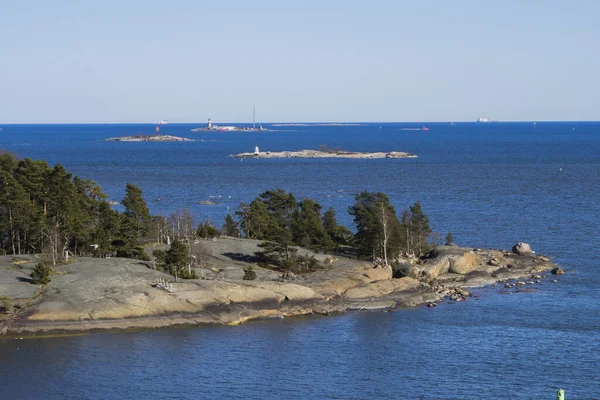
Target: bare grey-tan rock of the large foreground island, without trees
100 295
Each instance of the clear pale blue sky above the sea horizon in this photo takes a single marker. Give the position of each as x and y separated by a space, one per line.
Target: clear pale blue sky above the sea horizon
328 60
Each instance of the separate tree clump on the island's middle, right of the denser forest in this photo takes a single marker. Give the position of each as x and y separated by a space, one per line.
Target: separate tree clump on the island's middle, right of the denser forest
284 223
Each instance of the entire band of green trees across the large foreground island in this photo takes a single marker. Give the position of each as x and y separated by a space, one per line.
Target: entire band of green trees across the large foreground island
47 210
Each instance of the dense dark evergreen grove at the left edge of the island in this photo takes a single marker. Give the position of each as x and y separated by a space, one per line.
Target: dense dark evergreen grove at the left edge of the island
46 210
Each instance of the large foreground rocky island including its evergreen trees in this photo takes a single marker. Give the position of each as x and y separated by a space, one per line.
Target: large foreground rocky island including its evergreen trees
102 269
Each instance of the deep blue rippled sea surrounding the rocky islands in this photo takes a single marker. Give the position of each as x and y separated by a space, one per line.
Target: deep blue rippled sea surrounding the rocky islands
490 184
